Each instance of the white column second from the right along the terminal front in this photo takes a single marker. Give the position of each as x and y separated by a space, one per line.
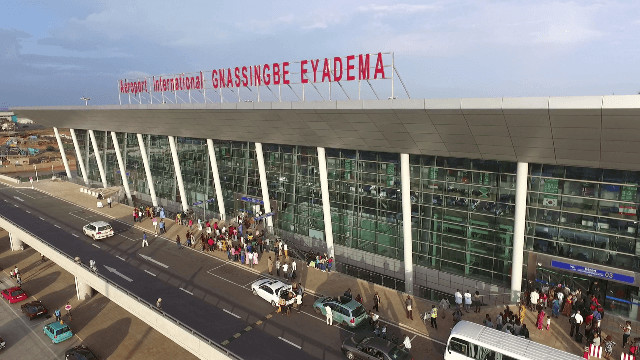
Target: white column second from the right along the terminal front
405 180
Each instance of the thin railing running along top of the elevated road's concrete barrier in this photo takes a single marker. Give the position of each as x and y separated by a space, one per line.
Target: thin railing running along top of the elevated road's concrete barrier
132 295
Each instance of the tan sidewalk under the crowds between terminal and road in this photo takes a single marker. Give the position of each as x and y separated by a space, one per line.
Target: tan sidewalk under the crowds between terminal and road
332 284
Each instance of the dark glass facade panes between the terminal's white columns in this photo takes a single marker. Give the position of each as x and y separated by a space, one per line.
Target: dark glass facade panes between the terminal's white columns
462 210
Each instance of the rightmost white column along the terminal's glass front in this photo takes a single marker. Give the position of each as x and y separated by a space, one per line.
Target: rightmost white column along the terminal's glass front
518 230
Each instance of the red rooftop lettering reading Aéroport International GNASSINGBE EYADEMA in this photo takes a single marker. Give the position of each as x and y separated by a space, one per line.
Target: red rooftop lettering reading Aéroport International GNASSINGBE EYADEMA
348 68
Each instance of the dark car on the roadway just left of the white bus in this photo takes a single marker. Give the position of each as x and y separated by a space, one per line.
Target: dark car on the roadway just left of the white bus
374 348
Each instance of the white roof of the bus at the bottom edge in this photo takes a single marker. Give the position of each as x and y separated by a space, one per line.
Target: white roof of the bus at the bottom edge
511 345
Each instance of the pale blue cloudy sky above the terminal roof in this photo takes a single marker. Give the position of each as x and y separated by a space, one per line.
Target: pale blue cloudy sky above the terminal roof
55 52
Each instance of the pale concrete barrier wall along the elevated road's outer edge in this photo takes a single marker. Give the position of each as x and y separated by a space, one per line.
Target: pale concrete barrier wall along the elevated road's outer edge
135 306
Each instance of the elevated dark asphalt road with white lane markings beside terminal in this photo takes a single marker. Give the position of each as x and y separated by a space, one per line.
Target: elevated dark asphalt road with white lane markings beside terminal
210 295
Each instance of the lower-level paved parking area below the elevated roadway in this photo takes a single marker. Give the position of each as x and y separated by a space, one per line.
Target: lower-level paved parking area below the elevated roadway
108 330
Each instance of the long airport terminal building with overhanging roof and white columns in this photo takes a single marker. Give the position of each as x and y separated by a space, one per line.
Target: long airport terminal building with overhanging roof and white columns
421 195
